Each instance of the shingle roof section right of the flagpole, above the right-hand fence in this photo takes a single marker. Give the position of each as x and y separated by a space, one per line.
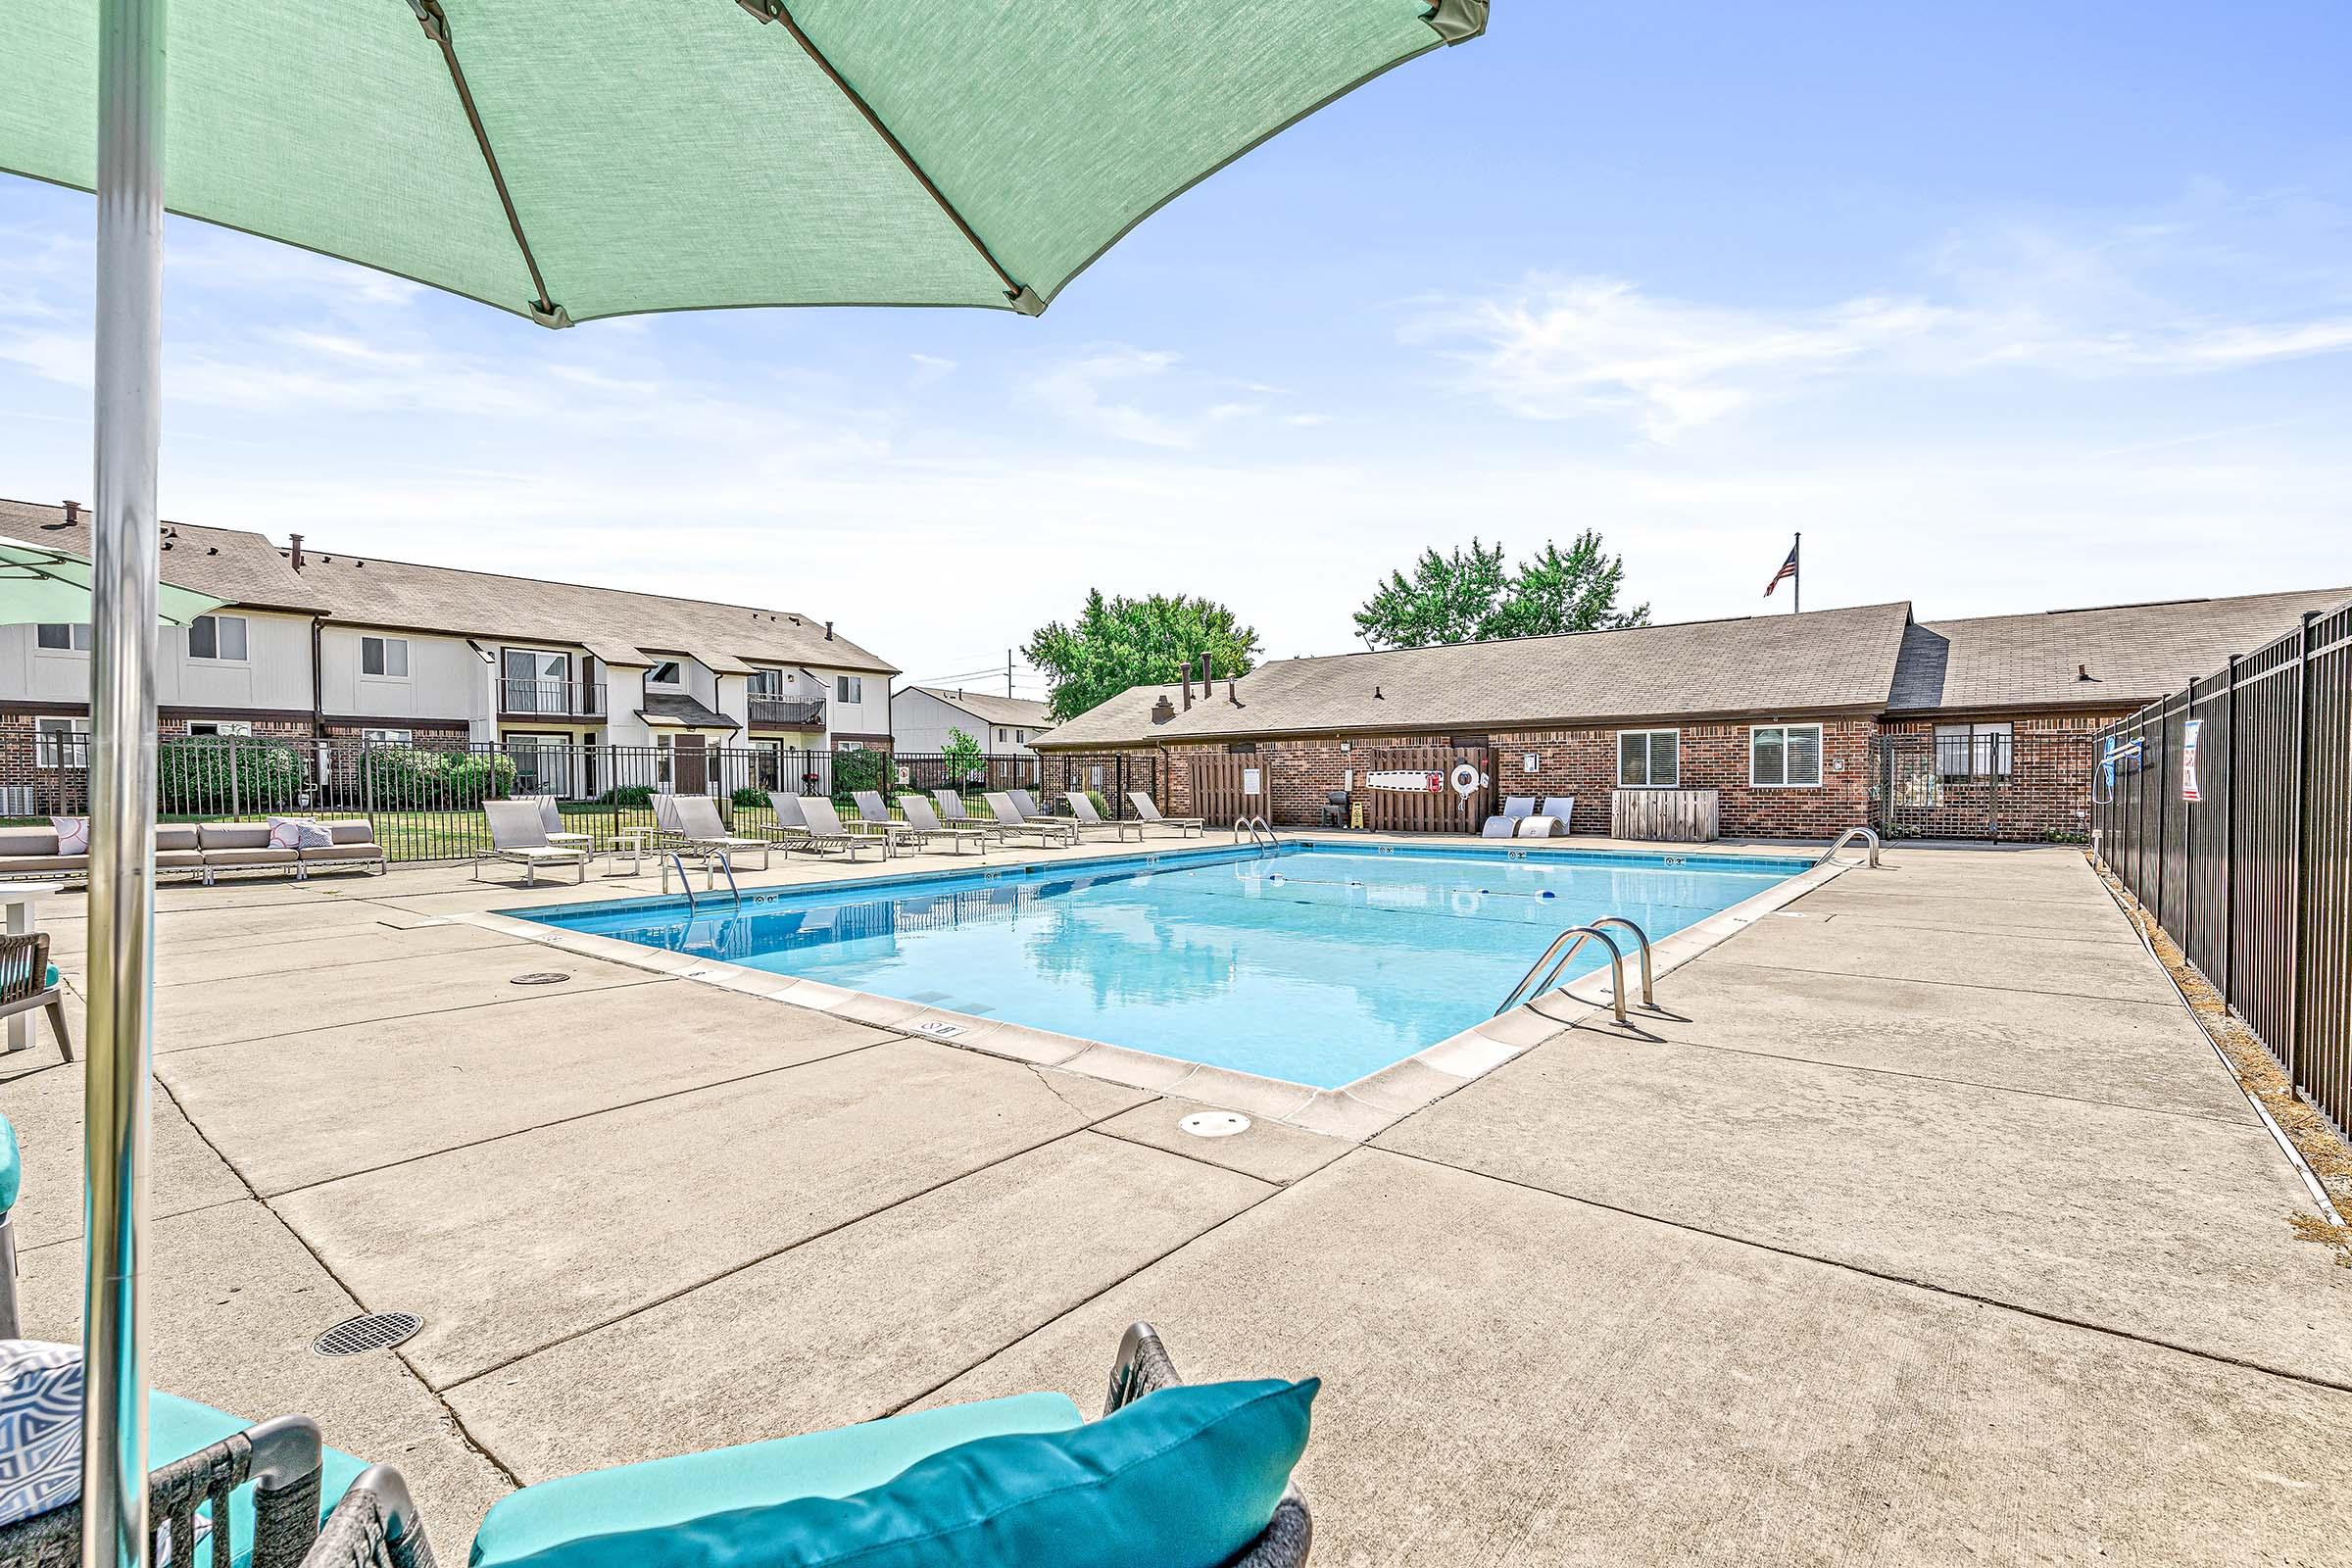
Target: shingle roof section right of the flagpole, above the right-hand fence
2132 652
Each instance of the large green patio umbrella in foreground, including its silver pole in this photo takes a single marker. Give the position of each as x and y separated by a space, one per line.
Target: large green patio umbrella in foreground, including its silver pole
568 161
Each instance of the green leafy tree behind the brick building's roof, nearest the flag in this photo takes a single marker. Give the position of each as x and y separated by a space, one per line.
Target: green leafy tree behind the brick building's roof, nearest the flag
1474 598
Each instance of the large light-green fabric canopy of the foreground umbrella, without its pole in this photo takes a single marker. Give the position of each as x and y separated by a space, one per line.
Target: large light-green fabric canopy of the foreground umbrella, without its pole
570 161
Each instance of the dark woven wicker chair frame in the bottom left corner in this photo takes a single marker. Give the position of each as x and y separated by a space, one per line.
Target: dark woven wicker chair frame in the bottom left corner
279 1456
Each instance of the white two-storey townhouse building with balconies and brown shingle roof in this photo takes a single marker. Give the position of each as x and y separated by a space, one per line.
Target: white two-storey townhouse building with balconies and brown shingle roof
333 645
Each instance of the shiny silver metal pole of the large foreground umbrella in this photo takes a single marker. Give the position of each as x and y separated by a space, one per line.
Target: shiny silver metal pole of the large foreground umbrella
123 782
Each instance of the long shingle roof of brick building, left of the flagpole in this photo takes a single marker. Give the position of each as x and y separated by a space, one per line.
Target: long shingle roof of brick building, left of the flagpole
1833 659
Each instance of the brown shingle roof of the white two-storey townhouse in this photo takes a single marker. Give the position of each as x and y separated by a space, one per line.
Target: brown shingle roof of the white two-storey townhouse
617 624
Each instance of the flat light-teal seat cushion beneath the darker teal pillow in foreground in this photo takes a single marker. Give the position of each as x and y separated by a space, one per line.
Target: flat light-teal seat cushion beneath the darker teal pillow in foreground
751 1475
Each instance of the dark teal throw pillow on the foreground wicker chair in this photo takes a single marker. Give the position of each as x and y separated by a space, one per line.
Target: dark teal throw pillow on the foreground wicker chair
1180 1480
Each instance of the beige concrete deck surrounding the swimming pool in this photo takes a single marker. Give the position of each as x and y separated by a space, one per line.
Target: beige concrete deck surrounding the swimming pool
1930 1228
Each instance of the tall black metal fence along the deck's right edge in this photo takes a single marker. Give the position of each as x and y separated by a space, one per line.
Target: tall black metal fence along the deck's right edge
2229 815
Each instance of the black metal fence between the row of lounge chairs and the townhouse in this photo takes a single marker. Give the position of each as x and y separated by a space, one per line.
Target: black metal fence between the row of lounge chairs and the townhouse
427 800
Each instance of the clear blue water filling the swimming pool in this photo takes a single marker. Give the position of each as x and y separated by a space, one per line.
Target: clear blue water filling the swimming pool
1318 965
